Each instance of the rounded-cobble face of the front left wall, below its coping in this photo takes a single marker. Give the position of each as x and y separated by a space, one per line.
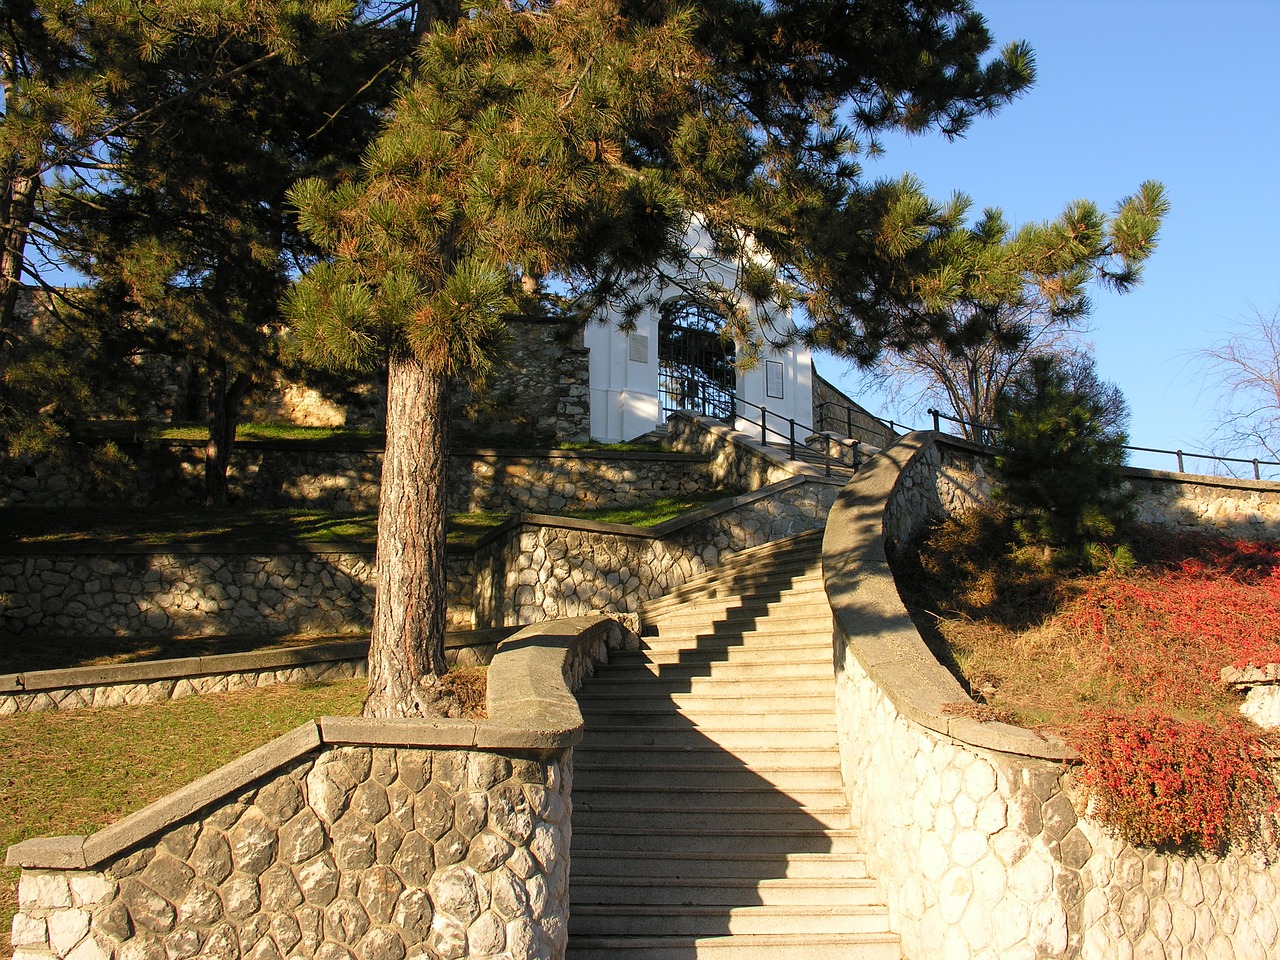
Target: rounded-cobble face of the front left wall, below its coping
376 853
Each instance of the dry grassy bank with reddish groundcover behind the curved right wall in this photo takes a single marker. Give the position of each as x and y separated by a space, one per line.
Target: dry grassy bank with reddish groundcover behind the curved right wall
1050 648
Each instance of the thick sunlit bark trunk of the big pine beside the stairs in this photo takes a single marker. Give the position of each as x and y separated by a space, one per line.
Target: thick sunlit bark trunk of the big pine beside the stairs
408 646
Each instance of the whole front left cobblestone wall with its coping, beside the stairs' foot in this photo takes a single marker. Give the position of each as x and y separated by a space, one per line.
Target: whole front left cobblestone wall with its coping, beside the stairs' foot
344 839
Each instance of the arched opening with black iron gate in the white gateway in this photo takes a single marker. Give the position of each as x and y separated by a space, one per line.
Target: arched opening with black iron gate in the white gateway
696 363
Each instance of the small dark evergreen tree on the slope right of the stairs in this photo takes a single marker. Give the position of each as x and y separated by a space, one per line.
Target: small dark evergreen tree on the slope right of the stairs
1062 436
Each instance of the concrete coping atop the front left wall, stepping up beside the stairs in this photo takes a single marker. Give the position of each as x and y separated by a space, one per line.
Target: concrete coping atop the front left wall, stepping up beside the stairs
532 708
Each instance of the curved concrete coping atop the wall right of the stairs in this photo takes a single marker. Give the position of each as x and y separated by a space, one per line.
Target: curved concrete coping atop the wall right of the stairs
868 611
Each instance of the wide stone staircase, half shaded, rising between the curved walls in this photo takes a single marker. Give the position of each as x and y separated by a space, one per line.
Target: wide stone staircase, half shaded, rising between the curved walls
710 820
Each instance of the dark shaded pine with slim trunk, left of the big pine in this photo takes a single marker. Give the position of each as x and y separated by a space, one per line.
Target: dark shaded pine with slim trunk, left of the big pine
188 240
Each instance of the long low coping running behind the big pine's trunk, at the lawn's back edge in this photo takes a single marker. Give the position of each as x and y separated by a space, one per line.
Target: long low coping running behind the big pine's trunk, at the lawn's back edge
185 668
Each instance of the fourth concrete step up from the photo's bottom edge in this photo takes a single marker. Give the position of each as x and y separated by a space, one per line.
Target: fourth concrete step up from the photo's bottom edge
744 865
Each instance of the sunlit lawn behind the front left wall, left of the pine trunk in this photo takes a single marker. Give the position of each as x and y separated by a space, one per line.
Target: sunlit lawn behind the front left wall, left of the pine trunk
79 771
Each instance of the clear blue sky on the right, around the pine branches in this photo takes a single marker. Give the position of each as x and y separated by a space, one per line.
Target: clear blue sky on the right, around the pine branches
1182 92
